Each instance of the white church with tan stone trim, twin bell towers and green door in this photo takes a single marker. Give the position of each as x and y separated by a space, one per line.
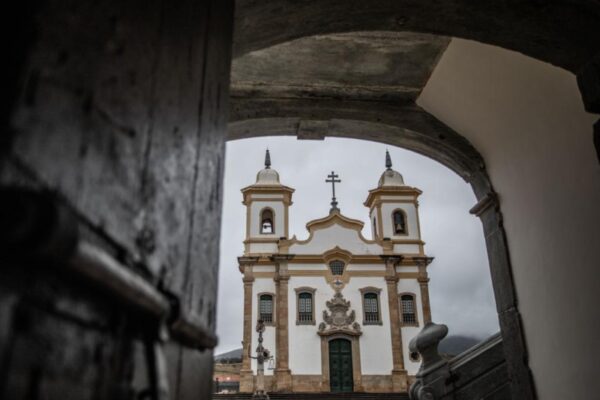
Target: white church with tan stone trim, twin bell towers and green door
339 309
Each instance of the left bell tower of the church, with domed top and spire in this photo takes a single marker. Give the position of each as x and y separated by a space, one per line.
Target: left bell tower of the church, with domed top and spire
267 216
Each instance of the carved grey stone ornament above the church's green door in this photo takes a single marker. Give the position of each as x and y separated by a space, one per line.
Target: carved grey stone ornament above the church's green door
339 319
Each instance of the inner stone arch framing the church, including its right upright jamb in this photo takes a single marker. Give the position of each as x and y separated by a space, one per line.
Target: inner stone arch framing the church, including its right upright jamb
439 142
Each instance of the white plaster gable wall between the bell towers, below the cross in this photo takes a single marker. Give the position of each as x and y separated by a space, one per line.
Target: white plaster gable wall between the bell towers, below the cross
335 235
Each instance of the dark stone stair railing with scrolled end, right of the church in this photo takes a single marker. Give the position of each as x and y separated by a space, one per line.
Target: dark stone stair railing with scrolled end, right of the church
478 373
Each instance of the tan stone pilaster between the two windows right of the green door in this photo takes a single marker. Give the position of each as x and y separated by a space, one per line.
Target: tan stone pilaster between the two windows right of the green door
399 374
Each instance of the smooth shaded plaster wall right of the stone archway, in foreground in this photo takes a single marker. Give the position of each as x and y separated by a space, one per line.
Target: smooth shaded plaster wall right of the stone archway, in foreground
527 120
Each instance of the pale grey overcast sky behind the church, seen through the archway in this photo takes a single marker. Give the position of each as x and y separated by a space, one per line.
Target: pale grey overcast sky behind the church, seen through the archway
460 286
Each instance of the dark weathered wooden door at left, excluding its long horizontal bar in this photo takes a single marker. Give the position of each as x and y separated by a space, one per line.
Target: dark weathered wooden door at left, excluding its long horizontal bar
121 112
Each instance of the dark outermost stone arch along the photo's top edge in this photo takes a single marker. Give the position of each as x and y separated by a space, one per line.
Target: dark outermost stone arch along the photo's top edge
561 33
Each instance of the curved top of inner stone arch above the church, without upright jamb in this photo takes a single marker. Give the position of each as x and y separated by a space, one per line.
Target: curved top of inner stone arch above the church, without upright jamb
428 136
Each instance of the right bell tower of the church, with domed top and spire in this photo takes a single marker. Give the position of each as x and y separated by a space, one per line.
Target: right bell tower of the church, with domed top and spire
393 211
